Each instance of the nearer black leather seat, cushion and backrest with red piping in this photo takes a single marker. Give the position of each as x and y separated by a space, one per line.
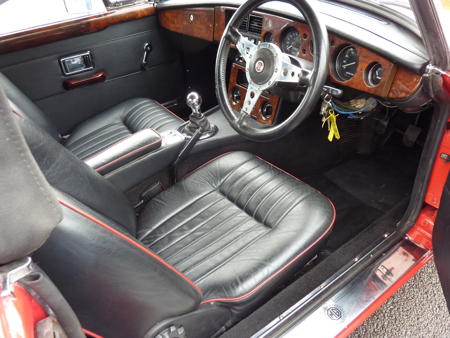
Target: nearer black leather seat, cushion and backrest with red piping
199 257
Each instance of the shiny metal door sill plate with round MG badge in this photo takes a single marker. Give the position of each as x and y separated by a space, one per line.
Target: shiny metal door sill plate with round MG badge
338 311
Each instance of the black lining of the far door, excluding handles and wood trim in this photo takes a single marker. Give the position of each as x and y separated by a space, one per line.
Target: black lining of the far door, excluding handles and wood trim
116 50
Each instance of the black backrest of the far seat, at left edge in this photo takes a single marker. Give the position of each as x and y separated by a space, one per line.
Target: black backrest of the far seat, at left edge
23 106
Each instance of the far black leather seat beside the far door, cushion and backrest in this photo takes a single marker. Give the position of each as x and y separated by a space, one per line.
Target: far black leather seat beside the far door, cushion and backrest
102 130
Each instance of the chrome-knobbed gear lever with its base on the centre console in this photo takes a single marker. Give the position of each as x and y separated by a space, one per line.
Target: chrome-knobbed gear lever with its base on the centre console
197 120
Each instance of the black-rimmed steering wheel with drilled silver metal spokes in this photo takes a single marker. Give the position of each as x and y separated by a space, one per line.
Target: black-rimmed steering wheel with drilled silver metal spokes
267 68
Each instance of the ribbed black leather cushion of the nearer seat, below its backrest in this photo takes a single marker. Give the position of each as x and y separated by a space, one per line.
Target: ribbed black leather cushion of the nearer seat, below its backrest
236 224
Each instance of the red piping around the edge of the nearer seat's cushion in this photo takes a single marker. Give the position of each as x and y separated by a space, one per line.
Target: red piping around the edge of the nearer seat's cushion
267 280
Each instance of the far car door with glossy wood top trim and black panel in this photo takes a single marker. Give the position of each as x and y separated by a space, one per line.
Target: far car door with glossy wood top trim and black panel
79 67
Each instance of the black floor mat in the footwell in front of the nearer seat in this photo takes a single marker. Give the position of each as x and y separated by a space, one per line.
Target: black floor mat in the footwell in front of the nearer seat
364 188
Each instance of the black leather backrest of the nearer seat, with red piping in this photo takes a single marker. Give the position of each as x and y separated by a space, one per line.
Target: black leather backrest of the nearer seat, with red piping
116 286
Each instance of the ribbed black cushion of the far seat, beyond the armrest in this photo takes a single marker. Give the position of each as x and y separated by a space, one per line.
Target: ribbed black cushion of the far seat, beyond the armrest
111 126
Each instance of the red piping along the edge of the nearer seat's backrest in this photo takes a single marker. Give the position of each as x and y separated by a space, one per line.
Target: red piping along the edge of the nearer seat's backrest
132 242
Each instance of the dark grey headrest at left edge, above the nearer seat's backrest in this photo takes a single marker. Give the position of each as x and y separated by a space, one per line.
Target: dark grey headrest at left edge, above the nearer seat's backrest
29 210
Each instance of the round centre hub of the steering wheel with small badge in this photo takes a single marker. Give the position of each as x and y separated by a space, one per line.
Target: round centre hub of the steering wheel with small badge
263 65
